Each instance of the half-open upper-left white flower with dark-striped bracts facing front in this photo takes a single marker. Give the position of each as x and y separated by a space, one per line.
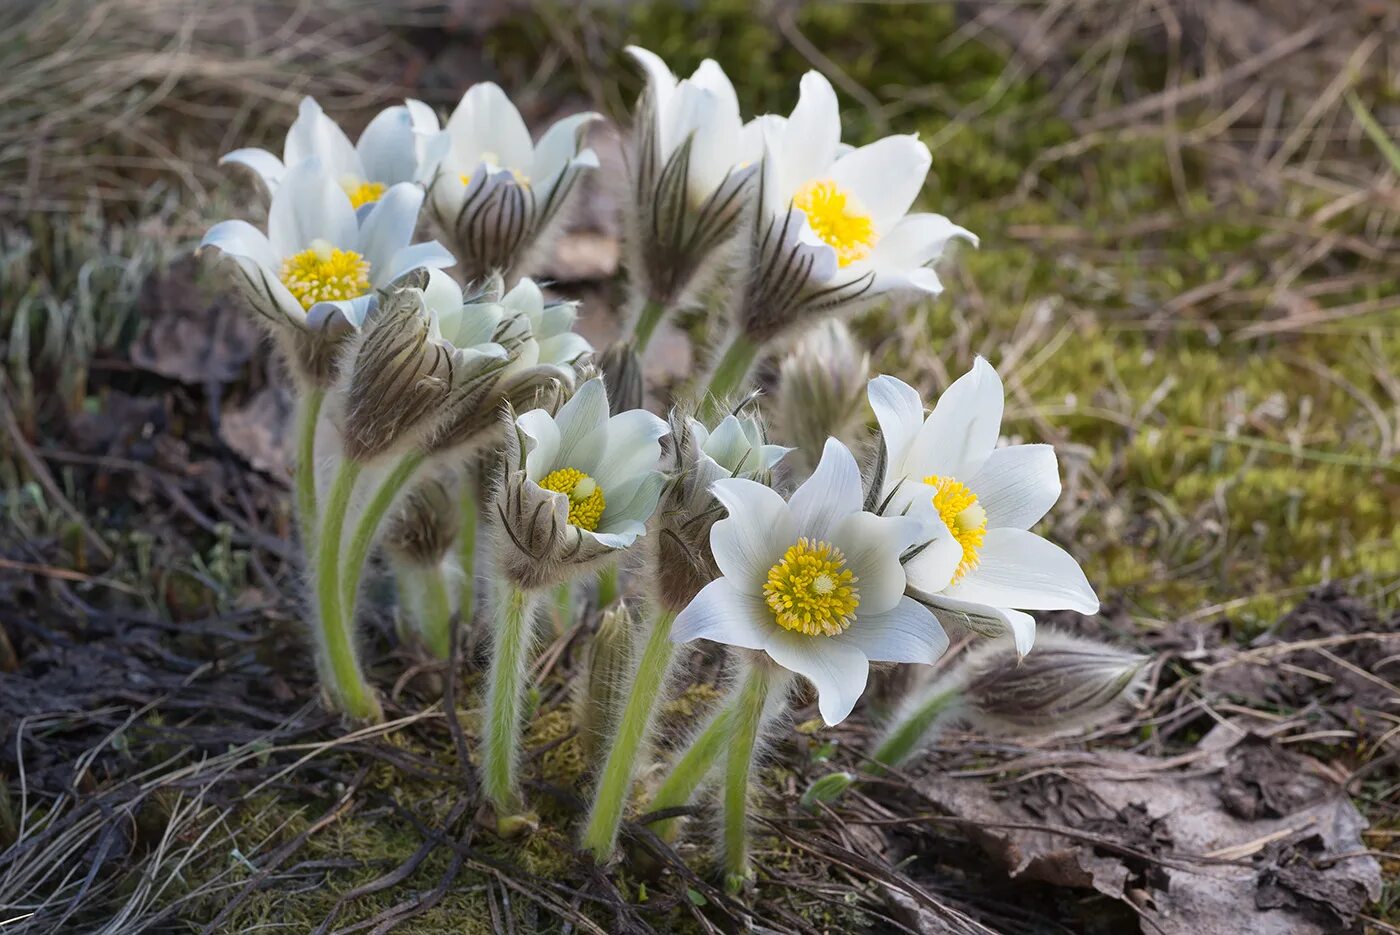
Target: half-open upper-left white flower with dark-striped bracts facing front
495 192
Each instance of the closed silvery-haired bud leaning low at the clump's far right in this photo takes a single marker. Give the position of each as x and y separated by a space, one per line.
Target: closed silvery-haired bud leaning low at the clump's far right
1065 682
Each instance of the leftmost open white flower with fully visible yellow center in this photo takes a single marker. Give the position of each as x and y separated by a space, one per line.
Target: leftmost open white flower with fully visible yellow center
320 262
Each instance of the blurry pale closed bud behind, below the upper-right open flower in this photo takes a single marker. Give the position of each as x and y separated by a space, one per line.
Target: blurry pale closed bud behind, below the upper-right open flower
822 390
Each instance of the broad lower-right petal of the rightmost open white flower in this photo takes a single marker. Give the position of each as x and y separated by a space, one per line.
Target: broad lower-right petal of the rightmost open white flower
1018 569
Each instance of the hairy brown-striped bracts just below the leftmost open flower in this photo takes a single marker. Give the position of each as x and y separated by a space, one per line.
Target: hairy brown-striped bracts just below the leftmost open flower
402 381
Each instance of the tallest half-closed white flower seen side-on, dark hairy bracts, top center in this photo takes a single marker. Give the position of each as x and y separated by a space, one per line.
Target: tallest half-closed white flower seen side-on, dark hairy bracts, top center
692 163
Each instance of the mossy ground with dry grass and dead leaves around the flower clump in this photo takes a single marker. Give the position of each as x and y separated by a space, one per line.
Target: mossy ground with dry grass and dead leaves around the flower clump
1189 278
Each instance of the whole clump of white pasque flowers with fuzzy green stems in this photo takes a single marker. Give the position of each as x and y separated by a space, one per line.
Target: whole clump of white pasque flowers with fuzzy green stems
463 428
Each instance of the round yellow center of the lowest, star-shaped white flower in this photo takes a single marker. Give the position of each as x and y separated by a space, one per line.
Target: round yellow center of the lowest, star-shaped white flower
811 590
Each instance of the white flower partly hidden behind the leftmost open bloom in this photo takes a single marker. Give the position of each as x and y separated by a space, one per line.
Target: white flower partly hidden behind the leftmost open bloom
390 150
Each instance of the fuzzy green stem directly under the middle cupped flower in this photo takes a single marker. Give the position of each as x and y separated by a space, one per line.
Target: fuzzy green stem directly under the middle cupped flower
505 695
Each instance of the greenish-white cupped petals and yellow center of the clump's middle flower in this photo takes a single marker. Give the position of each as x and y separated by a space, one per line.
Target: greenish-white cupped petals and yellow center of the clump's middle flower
603 468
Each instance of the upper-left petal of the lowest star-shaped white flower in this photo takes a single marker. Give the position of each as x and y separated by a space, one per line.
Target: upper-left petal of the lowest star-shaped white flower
754 537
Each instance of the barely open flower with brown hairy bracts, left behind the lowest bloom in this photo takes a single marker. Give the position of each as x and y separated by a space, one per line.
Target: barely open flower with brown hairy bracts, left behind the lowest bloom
695 458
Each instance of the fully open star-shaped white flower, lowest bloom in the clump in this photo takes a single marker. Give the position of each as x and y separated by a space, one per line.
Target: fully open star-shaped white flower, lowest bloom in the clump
815 583
